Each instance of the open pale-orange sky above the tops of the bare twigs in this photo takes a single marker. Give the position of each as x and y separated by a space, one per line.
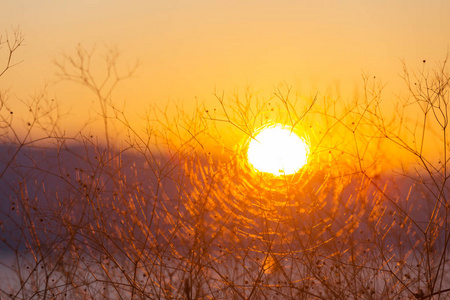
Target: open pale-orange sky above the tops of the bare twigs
187 49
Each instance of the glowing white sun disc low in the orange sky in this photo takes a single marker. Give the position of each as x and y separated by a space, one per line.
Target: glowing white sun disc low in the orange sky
277 150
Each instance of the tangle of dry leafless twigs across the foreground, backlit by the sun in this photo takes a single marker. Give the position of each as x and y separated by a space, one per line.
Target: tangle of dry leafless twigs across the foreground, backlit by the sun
173 211
